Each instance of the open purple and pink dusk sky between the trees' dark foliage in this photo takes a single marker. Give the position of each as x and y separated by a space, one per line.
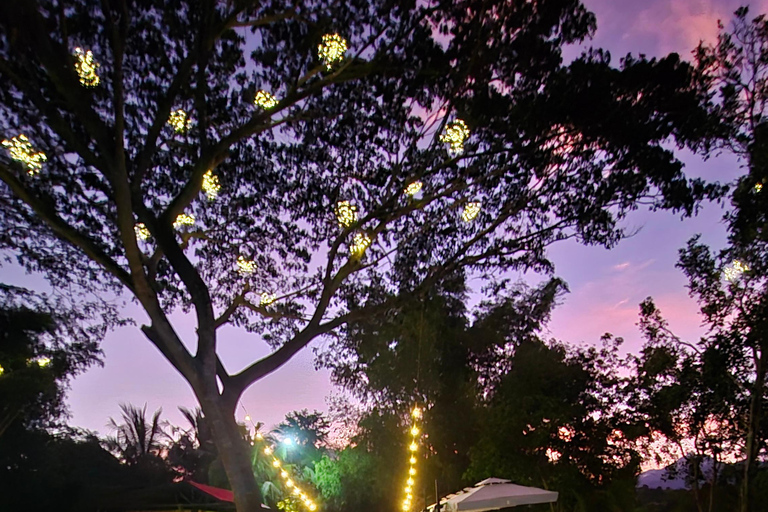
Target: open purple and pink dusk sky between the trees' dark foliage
606 286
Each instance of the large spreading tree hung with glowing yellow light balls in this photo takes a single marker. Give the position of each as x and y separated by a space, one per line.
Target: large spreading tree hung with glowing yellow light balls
448 137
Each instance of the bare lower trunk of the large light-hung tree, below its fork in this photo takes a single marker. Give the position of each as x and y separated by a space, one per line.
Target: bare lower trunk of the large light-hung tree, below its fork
235 454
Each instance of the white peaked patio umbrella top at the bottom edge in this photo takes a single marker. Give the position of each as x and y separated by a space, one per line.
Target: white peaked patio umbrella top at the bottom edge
493 494
